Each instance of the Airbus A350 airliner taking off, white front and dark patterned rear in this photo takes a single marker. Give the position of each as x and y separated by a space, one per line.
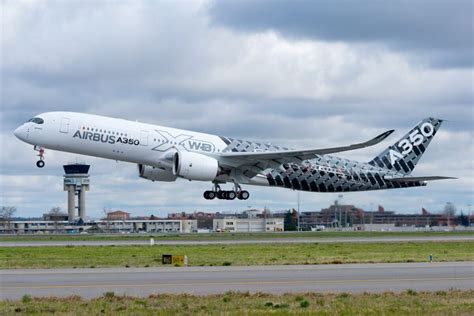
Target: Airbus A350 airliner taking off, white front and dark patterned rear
165 154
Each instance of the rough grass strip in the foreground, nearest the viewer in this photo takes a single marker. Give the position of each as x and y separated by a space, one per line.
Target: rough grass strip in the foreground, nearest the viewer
407 303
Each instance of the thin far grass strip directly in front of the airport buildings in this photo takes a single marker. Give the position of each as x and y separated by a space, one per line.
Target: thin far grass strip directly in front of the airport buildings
230 236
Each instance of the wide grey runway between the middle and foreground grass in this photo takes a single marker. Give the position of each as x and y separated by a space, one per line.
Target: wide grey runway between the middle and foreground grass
90 283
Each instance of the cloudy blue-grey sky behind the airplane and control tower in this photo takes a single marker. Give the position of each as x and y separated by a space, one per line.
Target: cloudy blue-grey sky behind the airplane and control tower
302 74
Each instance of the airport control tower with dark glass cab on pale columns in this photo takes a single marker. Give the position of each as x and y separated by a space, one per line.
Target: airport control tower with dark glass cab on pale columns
76 182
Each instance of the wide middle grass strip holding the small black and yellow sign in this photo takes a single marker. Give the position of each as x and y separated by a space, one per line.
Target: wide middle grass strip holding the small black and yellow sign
246 254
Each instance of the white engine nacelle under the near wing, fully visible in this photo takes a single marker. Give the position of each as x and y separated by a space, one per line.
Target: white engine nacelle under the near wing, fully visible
194 166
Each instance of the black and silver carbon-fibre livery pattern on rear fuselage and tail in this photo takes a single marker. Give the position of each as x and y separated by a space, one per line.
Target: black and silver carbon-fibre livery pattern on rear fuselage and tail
332 174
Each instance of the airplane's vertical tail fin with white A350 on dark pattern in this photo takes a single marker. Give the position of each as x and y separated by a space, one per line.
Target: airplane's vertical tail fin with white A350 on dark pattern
406 152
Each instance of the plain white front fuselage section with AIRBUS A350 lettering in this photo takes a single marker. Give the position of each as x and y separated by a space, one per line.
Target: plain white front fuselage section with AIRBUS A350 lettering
113 138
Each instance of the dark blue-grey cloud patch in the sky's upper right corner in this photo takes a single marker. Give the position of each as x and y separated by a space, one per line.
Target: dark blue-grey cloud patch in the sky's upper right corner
439 29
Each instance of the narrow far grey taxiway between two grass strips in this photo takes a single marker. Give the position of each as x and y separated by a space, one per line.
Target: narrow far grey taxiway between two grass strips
285 240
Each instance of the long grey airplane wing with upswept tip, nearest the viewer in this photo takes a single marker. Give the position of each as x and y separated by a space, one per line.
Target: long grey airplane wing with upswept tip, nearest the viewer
262 160
